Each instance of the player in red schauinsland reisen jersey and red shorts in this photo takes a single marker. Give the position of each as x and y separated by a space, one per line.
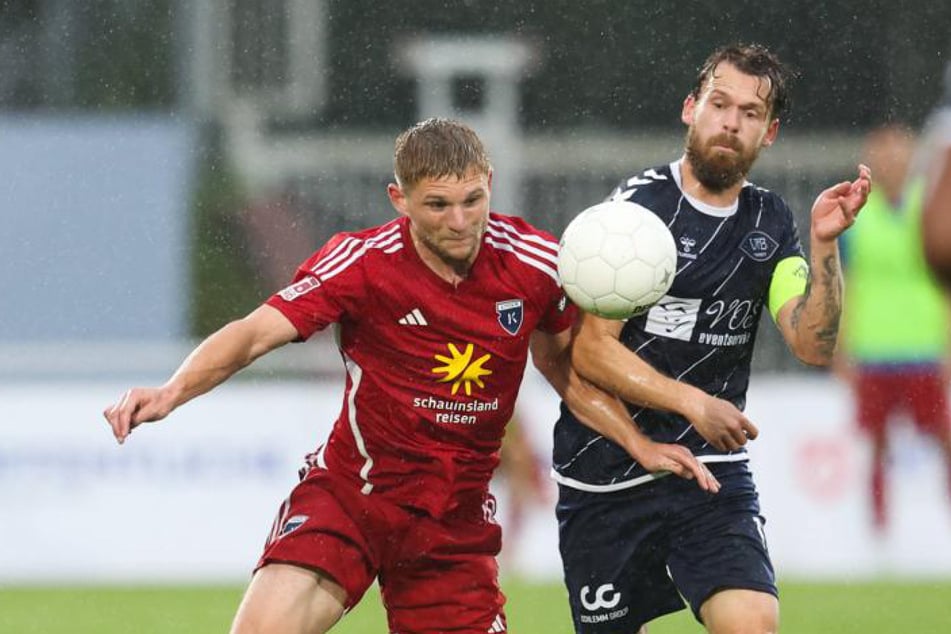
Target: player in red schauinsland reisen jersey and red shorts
437 312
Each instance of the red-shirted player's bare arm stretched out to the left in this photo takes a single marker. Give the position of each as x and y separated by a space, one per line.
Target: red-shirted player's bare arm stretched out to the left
218 357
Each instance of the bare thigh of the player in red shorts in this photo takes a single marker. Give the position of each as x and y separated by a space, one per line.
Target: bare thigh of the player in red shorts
286 599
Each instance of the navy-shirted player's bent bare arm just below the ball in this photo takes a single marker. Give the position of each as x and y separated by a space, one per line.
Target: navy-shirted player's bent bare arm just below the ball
601 358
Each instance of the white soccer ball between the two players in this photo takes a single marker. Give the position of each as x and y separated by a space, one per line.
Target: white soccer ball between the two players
616 259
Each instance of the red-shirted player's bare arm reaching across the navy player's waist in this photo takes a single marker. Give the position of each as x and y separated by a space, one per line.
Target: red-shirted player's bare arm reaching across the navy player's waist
606 415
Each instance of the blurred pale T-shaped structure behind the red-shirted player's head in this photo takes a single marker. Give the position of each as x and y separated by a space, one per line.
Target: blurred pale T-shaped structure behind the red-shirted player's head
496 65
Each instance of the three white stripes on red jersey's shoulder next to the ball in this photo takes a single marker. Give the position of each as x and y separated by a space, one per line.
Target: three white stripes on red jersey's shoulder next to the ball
522 244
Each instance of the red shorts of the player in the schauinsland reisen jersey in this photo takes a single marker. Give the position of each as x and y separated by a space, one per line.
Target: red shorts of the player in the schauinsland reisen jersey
434 575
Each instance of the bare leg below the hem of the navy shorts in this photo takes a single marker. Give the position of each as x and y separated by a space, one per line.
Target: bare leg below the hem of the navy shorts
740 612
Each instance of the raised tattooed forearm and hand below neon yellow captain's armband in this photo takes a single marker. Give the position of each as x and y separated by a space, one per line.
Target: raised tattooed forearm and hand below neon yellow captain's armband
810 322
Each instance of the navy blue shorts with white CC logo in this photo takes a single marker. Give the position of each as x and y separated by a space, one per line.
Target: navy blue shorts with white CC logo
631 556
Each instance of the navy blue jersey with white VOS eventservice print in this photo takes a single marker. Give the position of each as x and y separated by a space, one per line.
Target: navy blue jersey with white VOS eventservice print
702 332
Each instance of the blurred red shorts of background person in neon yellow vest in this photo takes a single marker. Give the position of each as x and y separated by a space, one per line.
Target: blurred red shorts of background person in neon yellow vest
880 393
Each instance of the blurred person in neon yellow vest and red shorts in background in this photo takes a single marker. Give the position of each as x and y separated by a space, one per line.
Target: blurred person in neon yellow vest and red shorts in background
894 347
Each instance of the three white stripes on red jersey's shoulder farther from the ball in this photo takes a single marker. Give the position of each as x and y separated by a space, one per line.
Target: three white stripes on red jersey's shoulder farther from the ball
347 249
